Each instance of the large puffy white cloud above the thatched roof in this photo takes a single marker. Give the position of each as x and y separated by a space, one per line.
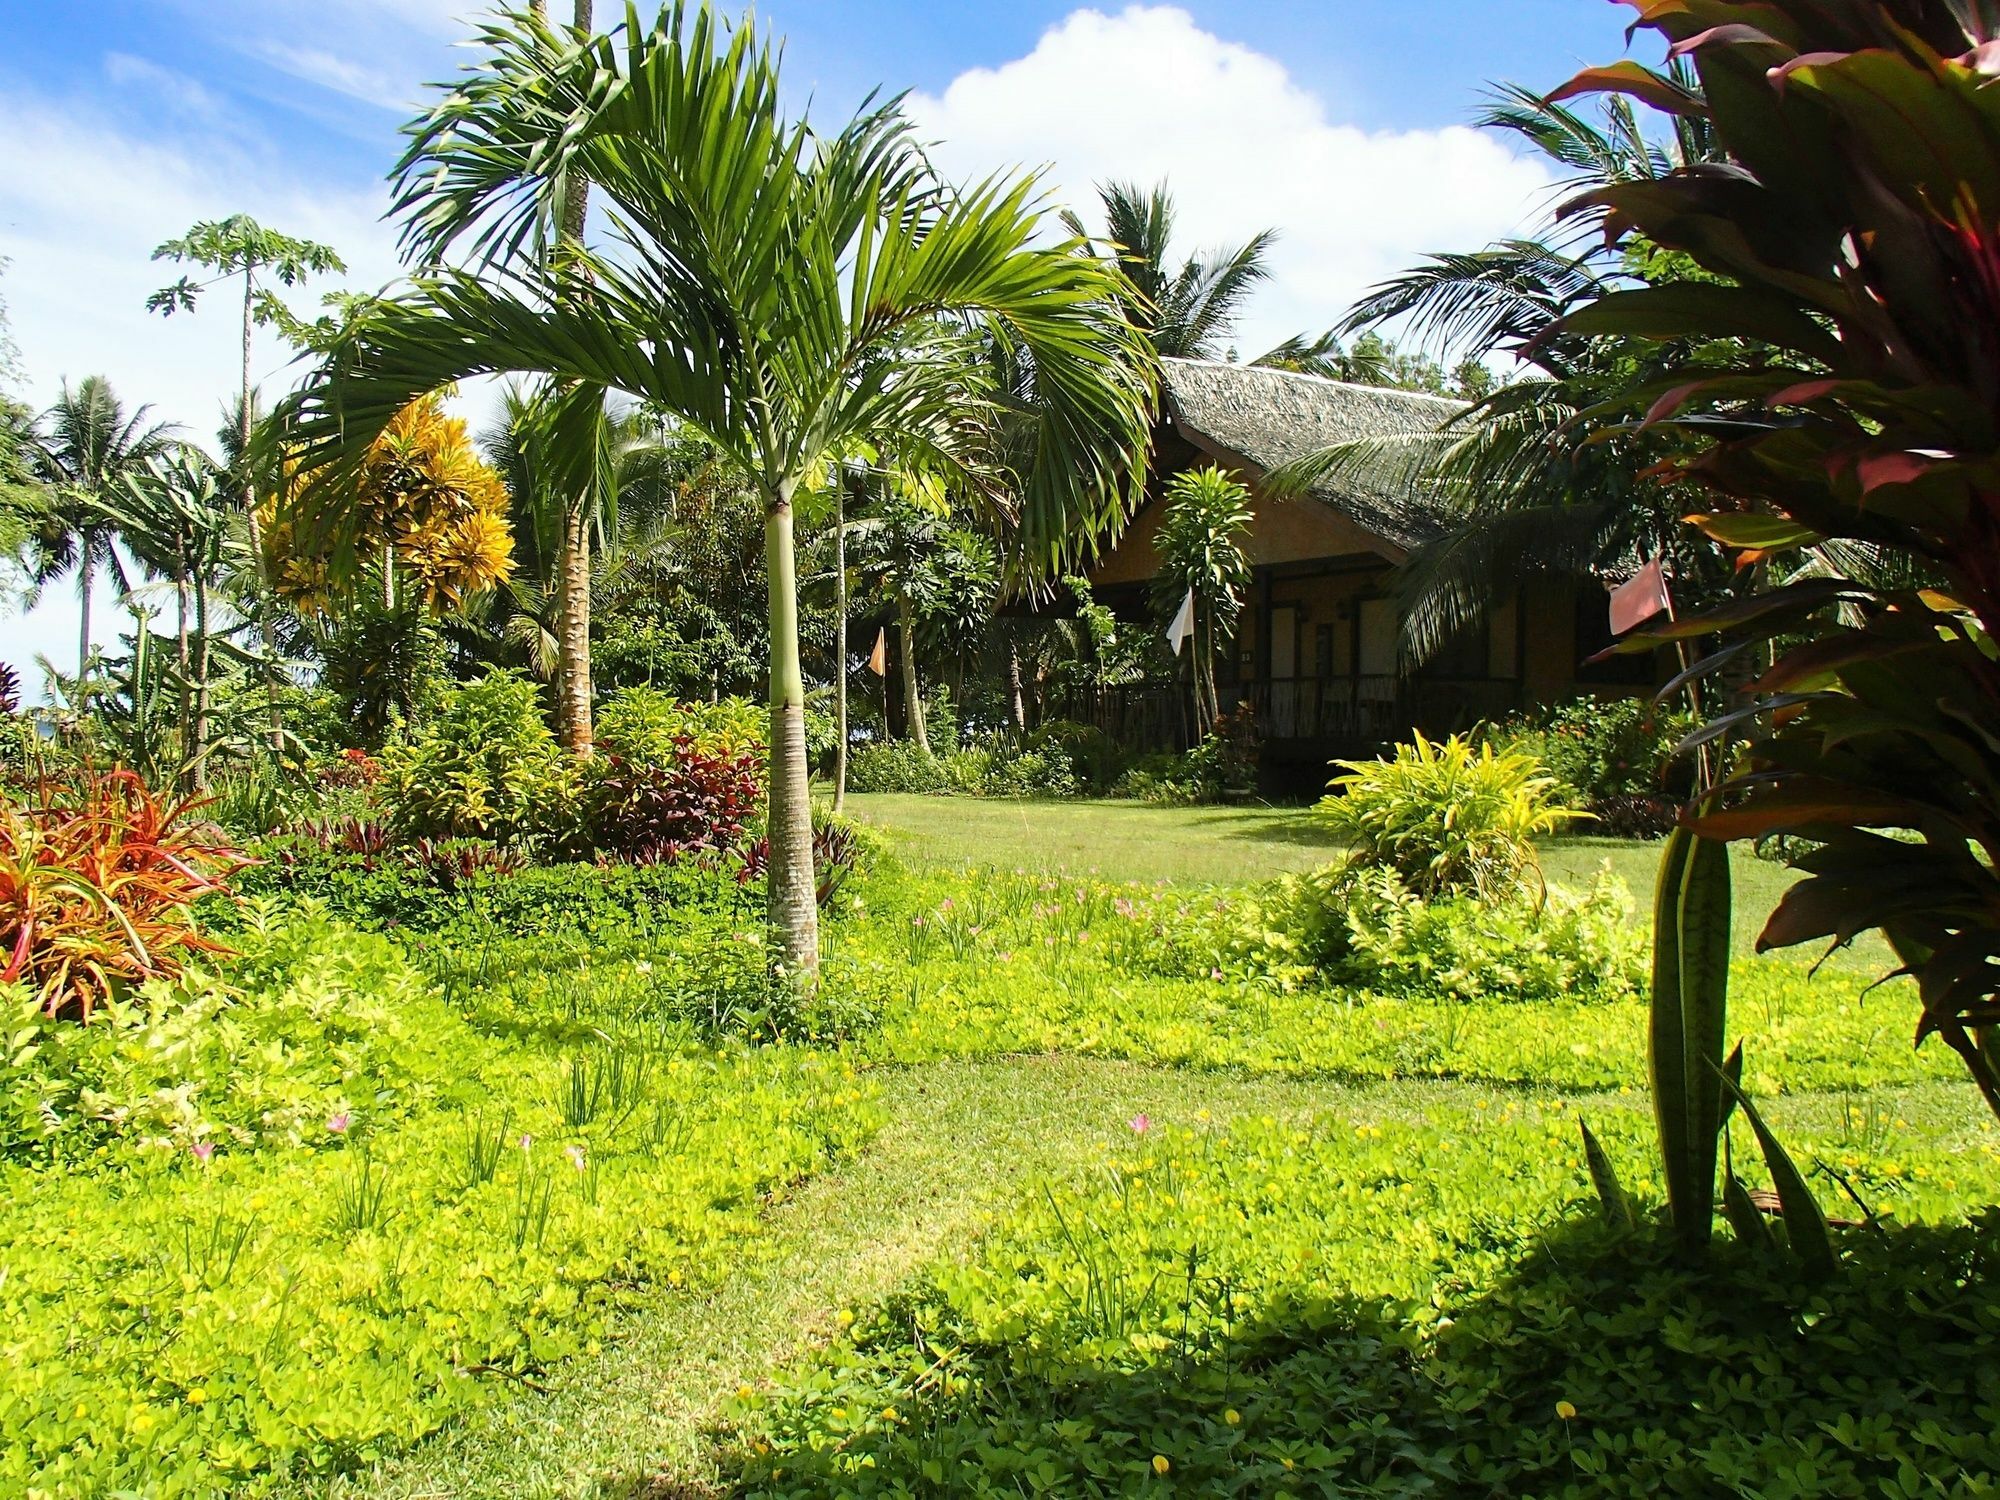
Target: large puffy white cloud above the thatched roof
1147 95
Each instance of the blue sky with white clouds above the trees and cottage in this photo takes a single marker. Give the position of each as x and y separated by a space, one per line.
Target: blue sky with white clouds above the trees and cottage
1343 123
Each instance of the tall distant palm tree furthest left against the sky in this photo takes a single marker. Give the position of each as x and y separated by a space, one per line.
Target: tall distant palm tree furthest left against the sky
87 451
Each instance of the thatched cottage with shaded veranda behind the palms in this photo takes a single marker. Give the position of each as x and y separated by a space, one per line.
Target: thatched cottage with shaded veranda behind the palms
1317 647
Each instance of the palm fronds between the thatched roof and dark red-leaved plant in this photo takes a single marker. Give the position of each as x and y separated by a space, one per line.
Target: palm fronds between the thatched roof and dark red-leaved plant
1521 487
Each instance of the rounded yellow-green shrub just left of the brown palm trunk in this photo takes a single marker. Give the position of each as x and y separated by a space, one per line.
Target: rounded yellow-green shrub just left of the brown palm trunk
485 767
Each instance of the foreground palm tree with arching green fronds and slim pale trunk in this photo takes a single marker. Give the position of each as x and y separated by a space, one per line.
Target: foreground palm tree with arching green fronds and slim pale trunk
755 273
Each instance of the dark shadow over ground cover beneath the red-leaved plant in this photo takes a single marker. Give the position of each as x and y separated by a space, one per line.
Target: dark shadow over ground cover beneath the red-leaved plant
1593 1367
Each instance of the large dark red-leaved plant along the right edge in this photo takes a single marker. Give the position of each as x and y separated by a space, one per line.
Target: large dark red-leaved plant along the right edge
1843 395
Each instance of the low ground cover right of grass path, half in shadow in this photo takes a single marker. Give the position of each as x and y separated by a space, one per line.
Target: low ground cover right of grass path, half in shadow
1293 1307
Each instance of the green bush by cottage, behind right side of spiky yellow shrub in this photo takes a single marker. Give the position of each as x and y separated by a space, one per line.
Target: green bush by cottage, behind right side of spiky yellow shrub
1613 759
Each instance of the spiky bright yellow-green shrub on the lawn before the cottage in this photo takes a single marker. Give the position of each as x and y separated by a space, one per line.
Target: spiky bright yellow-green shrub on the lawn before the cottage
1445 815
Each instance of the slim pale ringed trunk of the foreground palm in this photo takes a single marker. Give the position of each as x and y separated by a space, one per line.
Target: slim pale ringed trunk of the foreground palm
791 889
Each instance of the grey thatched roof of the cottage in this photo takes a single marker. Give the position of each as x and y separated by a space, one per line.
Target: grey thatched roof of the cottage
1275 417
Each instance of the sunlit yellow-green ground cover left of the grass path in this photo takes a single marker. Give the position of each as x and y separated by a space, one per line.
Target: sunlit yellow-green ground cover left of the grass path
487 1191
